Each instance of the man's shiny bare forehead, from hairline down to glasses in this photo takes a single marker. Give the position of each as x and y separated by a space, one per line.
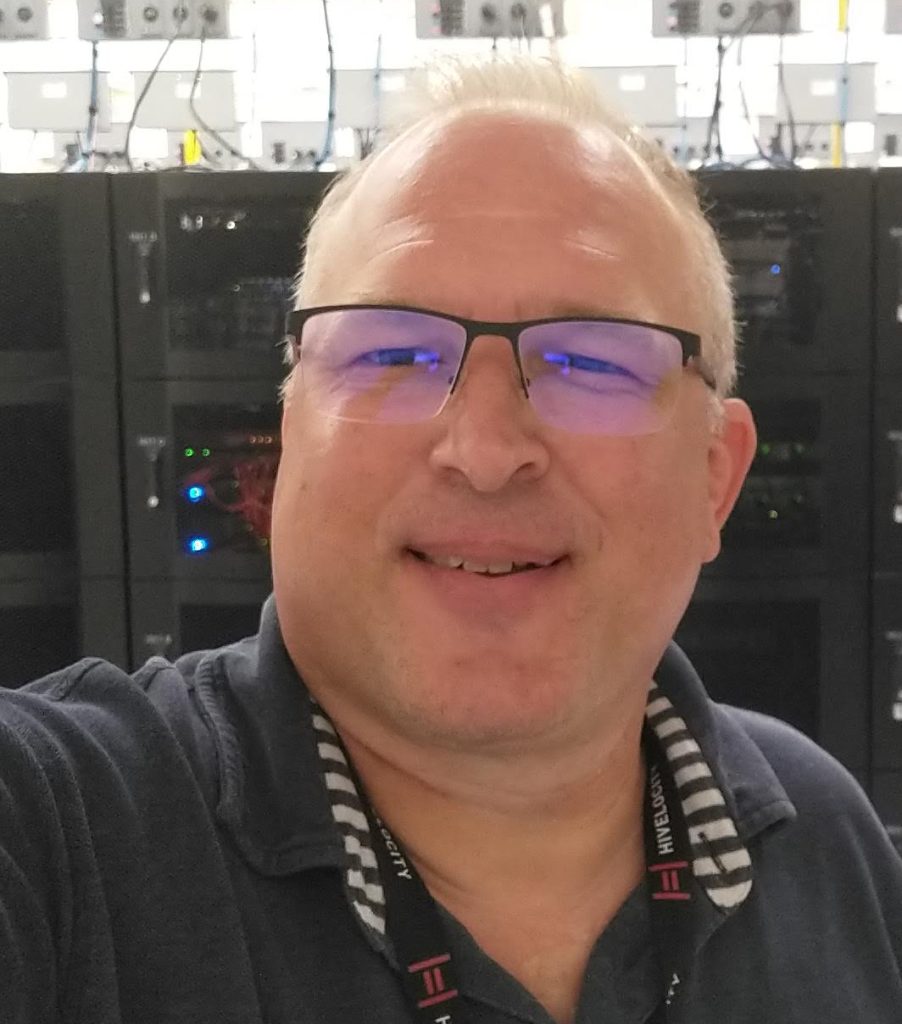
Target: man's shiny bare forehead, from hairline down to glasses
463 198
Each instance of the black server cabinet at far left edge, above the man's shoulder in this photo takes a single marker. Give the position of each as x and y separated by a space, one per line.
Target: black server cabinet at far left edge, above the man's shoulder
62 558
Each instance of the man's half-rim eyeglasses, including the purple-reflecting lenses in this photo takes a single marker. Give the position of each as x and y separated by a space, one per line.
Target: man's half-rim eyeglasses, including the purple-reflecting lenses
379 364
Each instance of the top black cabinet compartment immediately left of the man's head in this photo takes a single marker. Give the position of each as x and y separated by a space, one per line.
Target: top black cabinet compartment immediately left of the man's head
206 266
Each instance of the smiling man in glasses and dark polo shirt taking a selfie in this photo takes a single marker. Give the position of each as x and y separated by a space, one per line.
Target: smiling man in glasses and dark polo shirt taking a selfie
461 776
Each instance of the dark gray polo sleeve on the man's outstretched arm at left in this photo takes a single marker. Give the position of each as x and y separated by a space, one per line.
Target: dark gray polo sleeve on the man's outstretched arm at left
116 897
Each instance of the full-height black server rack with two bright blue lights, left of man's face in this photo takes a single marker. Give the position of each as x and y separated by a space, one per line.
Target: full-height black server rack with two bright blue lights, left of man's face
205 269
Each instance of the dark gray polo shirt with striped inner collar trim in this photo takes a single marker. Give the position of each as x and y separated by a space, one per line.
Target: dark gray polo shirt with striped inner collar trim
169 852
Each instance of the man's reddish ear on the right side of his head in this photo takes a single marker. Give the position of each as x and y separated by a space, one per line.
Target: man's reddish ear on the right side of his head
732 451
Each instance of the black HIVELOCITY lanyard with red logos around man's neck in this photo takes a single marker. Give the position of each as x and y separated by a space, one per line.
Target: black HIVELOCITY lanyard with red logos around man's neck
418 933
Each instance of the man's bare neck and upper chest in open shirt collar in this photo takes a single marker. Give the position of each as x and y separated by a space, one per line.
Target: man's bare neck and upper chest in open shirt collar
534 856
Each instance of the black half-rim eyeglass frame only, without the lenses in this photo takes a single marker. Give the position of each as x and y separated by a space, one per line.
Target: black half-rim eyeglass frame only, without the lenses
691 344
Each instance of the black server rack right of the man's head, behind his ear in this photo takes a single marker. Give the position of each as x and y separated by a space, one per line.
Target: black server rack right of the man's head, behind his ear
780 622
